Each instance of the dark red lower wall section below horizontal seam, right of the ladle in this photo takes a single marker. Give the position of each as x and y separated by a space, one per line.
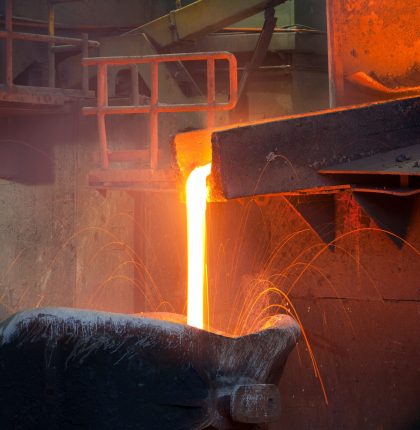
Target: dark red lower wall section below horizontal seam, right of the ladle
368 352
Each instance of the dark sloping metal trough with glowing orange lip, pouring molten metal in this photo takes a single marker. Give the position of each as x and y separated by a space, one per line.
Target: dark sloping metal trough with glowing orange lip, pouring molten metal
284 155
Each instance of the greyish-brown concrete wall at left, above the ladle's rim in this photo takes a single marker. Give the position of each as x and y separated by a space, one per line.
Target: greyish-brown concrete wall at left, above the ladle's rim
62 244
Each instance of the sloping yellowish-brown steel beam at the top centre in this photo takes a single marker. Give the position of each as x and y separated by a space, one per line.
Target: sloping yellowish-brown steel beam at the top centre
200 18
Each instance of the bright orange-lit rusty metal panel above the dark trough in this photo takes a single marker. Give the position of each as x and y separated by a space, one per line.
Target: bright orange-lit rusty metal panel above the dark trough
378 37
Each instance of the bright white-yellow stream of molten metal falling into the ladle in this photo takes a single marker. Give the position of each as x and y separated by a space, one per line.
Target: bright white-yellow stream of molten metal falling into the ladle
196 193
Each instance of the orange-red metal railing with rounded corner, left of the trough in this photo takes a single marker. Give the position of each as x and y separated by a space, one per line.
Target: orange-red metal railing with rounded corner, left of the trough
154 107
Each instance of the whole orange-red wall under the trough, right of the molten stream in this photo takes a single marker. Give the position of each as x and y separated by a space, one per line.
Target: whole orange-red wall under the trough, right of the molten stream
358 302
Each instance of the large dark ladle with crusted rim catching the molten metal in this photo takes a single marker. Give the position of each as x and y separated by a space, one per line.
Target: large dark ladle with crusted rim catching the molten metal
138 373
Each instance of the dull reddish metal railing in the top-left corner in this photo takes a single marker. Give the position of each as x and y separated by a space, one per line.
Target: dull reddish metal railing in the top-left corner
56 44
